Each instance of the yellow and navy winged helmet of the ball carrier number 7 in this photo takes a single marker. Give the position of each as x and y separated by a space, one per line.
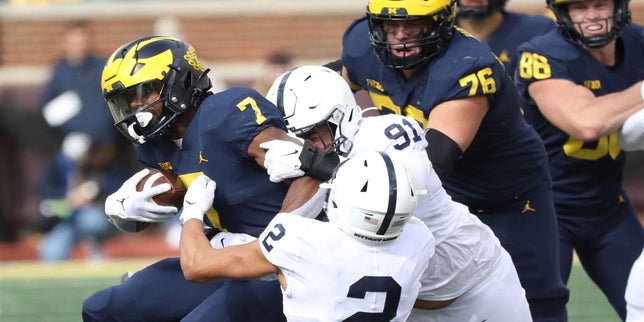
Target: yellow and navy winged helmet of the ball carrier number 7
149 82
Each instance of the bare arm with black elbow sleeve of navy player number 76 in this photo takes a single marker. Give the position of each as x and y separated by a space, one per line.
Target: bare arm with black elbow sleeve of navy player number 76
451 127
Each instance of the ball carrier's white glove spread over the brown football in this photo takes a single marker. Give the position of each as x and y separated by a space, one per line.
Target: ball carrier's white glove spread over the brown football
129 204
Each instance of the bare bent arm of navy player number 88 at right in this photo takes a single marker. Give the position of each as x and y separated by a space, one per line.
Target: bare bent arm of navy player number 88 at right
577 111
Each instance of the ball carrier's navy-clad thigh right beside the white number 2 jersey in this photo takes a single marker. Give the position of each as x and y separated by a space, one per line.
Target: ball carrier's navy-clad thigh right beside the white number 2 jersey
253 300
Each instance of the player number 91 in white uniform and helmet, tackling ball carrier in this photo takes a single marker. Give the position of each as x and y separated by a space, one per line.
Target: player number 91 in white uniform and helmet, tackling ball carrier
470 273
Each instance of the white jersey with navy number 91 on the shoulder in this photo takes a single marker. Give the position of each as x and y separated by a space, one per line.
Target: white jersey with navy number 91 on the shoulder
467 251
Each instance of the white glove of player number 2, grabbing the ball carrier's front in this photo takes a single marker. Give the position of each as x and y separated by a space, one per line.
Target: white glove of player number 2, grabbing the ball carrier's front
198 199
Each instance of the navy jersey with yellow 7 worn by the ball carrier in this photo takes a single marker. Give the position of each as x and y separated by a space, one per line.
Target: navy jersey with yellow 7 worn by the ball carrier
216 144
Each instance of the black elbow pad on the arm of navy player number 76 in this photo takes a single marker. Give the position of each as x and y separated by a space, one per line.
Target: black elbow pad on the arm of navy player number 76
443 152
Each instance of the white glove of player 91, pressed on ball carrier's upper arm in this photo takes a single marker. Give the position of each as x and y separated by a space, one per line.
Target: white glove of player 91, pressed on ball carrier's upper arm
282 159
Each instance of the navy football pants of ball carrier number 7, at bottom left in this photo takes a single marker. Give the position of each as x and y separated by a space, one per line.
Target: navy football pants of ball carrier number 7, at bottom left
160 292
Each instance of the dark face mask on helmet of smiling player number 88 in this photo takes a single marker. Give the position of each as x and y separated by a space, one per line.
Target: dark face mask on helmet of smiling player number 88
620 19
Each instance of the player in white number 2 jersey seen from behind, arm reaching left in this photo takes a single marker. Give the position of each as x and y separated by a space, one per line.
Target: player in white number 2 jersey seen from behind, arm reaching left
363 265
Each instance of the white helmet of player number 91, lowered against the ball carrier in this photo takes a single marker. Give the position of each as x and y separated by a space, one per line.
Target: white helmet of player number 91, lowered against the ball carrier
309 96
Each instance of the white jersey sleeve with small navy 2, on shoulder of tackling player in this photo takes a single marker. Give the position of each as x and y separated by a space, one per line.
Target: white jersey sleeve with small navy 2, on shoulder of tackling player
280 241
